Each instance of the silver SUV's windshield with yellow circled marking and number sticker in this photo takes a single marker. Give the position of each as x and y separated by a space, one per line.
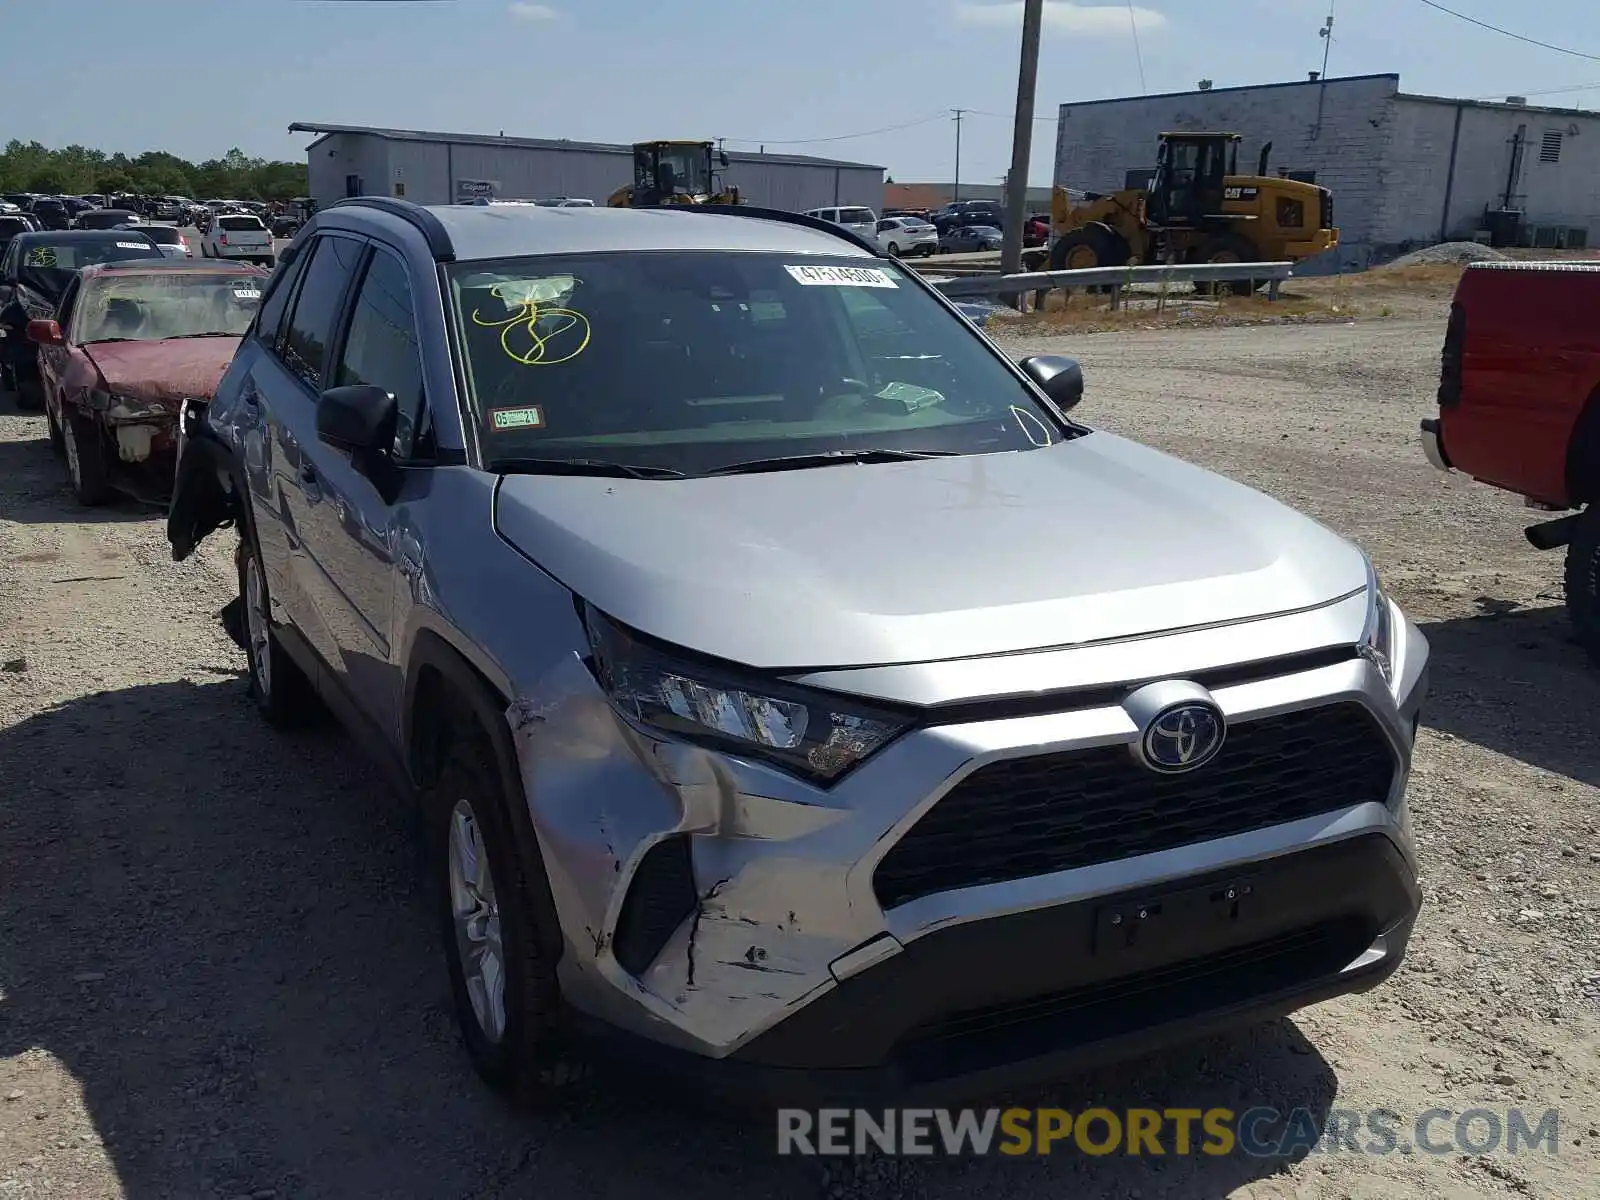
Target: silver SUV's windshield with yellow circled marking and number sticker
695 361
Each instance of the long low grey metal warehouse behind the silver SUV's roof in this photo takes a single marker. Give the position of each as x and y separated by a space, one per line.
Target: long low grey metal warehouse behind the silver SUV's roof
441 169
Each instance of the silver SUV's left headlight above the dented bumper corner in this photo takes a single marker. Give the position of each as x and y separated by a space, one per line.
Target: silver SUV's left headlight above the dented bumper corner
815 735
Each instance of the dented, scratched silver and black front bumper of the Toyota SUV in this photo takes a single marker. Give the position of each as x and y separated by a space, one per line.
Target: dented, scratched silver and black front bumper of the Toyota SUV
801 938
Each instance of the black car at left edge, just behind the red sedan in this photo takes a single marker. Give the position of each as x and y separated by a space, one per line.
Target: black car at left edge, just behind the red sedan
34 276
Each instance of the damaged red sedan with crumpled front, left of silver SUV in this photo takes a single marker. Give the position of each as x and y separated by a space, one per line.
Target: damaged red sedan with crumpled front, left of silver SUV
129 345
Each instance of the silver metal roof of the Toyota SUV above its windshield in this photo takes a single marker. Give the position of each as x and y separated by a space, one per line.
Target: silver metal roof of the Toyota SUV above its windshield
486 233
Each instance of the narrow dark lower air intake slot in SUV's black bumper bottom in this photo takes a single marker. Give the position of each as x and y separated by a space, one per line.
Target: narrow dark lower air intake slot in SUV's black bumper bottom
1135 1002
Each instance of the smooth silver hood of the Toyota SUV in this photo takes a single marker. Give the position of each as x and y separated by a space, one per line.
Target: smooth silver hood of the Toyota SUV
852 566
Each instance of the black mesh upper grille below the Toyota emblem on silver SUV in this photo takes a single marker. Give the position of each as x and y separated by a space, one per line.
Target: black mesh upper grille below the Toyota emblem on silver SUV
1031 817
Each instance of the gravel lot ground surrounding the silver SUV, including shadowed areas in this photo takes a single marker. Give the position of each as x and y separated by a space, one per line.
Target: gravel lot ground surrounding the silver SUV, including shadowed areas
217 977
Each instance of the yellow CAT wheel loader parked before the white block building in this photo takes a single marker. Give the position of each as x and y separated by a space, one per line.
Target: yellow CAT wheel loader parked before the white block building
1194 209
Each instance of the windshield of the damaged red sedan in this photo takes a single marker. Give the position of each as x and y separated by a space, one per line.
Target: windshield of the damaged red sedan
169 305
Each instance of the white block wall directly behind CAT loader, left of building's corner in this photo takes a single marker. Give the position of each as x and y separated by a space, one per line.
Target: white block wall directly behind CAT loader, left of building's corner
1098 143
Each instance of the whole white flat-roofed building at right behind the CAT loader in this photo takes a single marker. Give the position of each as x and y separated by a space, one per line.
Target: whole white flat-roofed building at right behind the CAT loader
1404 170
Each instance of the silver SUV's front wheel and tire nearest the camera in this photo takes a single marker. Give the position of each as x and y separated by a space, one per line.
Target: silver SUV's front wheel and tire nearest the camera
513 1033
